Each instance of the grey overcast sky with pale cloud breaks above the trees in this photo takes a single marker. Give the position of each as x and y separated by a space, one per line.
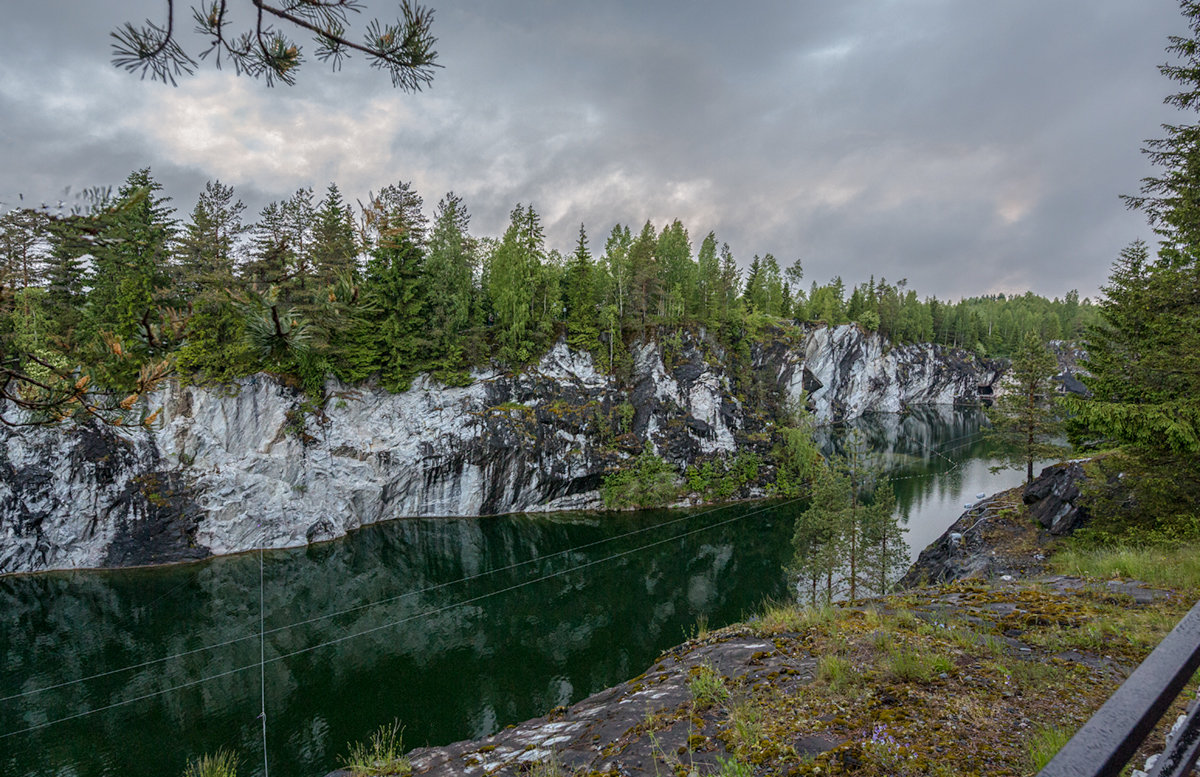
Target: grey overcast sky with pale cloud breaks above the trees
968 146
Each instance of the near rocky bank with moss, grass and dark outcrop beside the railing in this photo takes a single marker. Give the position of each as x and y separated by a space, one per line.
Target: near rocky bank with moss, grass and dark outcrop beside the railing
967 677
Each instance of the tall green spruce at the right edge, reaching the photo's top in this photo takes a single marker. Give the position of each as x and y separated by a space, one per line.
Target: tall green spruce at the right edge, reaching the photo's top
1144 358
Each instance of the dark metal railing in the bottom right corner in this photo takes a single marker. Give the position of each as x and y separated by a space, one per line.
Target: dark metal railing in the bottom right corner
1114 734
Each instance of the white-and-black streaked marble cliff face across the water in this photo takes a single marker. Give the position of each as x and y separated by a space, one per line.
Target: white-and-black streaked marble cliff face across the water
231 469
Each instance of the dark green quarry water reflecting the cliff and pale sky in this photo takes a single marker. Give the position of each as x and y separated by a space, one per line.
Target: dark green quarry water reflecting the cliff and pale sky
457 628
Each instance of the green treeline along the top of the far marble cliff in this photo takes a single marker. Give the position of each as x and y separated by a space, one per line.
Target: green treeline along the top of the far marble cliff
314 286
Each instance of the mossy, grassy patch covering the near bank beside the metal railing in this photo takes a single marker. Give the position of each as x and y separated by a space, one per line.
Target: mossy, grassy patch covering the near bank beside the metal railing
958 680
